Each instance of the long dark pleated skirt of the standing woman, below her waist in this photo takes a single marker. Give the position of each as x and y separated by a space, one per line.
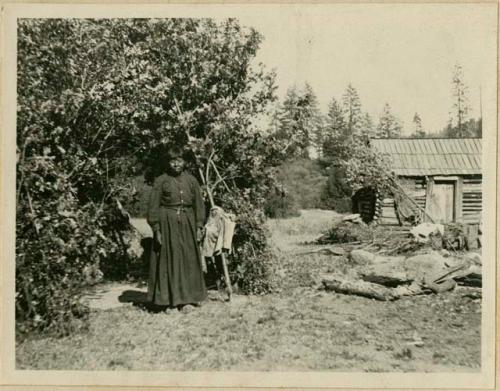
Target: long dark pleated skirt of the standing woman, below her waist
175 273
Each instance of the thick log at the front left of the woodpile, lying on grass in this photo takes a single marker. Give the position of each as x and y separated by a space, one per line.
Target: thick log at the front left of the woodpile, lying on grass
359 288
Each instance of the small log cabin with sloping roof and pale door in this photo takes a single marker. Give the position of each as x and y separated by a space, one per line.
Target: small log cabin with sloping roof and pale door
442 176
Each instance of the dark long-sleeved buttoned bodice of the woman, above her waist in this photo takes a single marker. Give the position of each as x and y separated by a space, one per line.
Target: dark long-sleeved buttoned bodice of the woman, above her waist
173 192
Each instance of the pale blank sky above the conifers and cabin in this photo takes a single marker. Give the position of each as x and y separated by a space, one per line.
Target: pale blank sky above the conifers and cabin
402 54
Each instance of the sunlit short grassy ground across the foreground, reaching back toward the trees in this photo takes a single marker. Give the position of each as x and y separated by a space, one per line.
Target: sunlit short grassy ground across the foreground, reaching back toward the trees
301 328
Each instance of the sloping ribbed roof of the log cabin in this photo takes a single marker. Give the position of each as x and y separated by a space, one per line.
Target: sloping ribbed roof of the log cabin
432 156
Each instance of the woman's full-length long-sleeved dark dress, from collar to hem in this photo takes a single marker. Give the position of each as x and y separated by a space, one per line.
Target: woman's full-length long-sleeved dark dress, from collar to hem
177 209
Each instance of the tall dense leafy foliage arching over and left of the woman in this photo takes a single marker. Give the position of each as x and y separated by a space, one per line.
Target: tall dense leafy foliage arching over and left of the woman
98 103
